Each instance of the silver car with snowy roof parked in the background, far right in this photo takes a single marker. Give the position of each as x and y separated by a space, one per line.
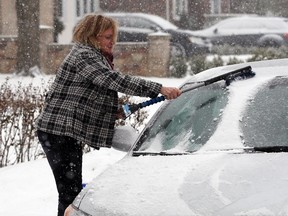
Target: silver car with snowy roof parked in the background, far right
248 31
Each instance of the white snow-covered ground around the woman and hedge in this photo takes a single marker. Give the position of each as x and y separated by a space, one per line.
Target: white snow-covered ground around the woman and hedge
28 189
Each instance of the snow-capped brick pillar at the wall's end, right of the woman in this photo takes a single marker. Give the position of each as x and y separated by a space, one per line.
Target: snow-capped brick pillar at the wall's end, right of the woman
158 54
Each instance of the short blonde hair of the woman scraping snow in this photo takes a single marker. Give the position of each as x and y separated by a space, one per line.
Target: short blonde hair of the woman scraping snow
91 26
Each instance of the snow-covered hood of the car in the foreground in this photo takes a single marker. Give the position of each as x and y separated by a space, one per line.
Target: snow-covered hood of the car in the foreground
206 184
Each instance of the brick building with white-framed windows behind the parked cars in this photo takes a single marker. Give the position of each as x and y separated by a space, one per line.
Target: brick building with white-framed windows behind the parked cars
70 11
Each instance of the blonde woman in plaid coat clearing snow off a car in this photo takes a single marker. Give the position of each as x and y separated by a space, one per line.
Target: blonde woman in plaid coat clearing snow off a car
82 103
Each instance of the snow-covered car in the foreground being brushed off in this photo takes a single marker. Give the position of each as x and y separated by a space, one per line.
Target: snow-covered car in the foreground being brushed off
219 149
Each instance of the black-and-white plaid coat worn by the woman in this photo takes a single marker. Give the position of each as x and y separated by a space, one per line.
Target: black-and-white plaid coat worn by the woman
83 100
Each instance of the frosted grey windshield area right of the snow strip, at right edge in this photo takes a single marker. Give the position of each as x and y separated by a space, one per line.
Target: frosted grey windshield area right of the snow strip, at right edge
265 120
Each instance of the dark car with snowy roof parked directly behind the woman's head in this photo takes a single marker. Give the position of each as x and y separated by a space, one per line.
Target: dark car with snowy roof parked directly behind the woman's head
135 27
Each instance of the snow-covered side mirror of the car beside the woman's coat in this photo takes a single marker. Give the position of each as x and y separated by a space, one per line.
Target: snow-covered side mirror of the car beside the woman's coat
124 137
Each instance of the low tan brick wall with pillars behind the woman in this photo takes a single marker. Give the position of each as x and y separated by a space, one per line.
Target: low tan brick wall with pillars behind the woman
141 59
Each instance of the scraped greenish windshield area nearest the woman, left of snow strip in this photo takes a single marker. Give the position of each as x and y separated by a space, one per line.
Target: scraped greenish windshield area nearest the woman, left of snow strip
187 122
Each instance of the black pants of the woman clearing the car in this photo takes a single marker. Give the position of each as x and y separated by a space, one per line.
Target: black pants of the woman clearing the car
64 155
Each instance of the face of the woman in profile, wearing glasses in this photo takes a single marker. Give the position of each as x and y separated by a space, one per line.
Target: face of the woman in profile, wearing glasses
106 41
